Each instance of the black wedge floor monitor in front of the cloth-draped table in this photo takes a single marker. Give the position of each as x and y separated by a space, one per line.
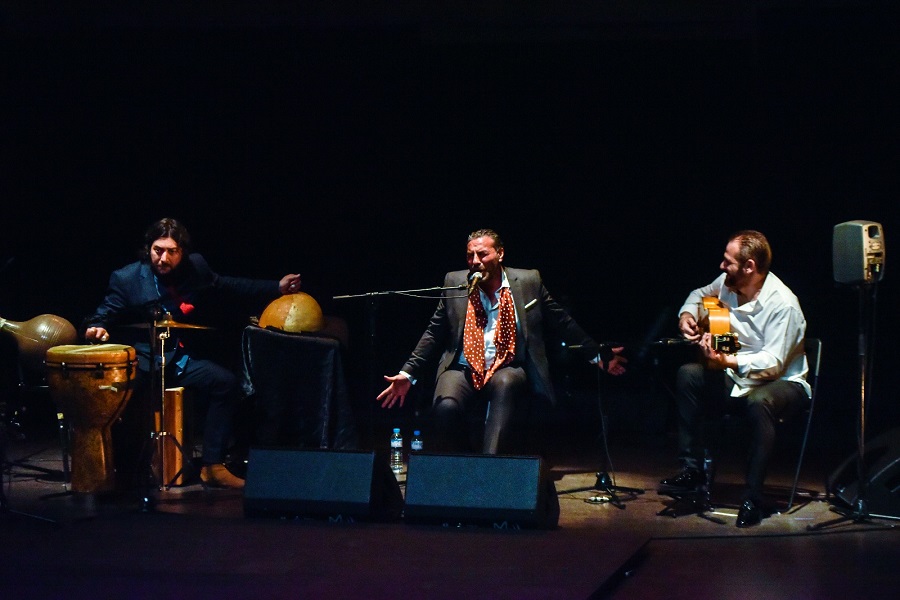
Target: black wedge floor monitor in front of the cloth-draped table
338 485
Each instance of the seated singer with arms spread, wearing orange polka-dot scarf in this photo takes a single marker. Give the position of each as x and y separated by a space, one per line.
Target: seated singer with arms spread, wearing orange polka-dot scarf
489 337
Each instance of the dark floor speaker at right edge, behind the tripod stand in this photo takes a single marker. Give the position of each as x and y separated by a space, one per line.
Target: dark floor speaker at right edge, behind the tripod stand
882 474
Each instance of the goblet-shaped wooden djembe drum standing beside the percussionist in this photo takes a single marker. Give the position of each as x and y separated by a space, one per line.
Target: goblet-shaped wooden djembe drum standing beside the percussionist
91 385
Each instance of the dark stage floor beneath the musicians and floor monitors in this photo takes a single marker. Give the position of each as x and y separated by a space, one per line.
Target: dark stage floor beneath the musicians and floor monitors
195 543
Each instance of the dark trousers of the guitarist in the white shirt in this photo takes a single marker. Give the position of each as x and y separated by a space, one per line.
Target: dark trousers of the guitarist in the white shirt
703 397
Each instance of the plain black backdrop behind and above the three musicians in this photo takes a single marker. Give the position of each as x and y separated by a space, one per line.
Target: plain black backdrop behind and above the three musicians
614 148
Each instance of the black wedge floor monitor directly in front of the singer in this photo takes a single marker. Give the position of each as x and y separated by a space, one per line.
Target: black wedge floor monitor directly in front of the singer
480 490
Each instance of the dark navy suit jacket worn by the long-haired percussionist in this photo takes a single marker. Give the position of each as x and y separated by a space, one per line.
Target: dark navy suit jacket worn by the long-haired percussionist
132 296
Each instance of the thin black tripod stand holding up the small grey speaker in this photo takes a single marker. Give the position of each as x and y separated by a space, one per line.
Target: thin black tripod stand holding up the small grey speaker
859 510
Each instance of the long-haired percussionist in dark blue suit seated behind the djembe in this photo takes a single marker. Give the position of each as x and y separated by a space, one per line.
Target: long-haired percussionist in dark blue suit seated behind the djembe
170 281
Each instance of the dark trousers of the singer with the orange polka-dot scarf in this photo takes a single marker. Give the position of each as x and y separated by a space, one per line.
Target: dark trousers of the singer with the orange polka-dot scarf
461 412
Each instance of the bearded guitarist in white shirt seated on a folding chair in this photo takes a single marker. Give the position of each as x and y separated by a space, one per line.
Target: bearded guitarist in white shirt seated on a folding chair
759 372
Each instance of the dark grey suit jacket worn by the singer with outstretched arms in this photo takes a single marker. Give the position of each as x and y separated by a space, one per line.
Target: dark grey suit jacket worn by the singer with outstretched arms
536 310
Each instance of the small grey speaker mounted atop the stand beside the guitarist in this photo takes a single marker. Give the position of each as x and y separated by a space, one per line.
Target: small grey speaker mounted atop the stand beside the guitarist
858 252
